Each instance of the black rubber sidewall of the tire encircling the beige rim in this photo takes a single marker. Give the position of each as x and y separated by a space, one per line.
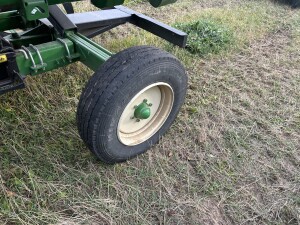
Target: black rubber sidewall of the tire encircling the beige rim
106 134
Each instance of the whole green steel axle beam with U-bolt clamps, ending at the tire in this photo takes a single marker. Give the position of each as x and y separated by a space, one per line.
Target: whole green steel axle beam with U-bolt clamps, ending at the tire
38 59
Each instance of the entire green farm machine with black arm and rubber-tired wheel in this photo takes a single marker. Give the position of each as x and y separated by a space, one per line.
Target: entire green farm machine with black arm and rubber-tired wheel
133 96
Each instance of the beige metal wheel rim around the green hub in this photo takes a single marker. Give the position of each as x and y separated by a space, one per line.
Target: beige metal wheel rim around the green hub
132 131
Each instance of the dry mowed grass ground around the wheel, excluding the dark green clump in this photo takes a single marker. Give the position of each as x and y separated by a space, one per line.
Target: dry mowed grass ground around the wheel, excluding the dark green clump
231 157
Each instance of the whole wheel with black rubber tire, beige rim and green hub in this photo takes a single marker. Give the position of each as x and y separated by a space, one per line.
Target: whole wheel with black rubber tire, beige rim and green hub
130 102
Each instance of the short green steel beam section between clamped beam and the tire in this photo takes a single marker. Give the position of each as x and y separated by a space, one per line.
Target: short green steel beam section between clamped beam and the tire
91 54
